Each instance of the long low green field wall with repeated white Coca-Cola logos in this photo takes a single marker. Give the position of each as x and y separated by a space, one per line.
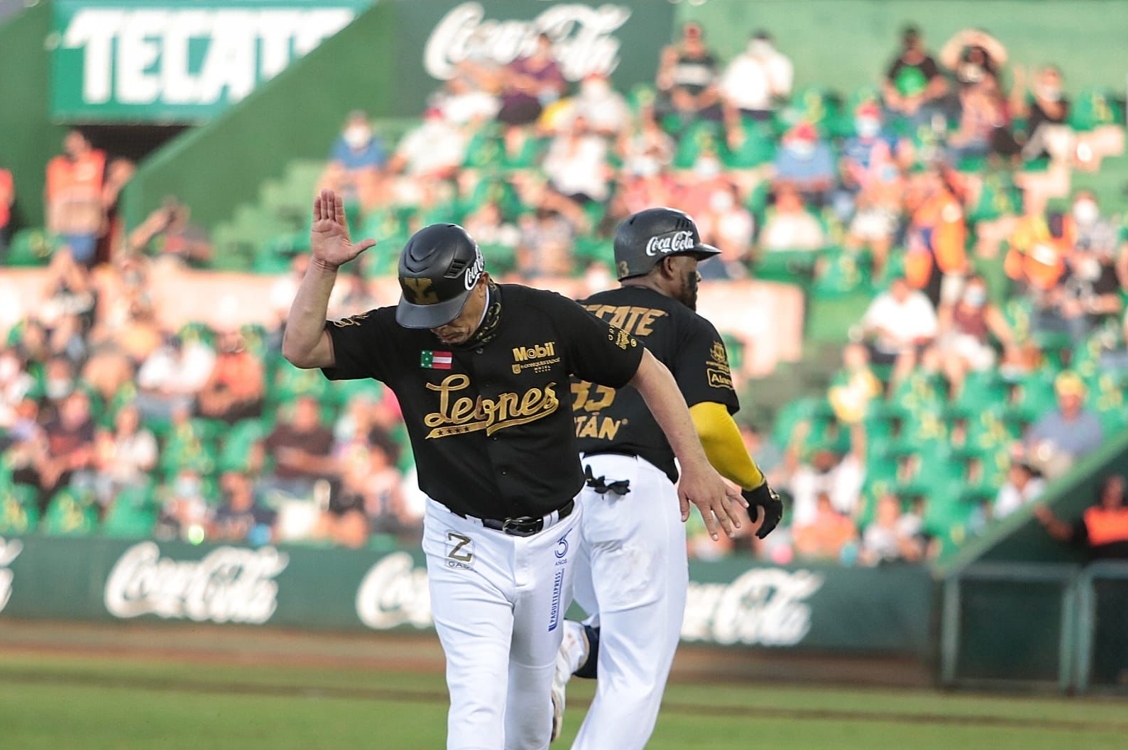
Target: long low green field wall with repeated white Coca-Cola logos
730 604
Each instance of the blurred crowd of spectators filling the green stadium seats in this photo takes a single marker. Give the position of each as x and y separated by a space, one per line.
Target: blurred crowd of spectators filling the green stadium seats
995 321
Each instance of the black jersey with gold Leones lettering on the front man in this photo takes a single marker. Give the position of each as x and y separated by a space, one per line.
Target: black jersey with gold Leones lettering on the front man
490 422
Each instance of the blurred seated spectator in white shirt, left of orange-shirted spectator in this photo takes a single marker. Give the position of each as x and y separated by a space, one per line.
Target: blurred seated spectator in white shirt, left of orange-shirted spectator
172 376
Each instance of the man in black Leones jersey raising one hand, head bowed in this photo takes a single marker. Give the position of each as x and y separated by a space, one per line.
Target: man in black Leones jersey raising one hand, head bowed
482 373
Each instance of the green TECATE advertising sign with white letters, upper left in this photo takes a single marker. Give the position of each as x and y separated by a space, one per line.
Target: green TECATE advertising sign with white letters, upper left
152 61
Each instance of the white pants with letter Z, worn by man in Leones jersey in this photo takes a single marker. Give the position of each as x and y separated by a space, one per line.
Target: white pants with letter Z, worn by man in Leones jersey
499 605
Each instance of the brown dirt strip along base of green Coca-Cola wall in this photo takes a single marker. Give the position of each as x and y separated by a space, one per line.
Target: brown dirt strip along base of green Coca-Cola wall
415 652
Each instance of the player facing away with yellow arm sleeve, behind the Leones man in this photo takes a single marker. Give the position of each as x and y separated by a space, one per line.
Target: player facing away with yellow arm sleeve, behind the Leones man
632 572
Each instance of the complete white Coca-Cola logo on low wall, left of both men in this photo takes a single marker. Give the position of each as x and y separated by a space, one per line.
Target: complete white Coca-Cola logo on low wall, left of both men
231 585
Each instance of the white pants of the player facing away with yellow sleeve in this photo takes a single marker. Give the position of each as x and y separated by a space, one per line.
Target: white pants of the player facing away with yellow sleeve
632 577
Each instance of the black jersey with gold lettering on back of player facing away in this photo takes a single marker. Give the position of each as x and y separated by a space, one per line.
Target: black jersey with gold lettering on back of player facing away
619 421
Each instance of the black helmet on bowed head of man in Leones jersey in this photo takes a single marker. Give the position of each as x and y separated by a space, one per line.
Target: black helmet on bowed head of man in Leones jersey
438 269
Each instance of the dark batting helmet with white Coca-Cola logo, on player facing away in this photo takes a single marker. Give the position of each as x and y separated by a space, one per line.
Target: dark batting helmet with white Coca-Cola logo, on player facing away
644 240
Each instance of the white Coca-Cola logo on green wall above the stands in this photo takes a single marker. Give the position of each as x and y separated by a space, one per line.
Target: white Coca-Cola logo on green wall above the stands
581 36
